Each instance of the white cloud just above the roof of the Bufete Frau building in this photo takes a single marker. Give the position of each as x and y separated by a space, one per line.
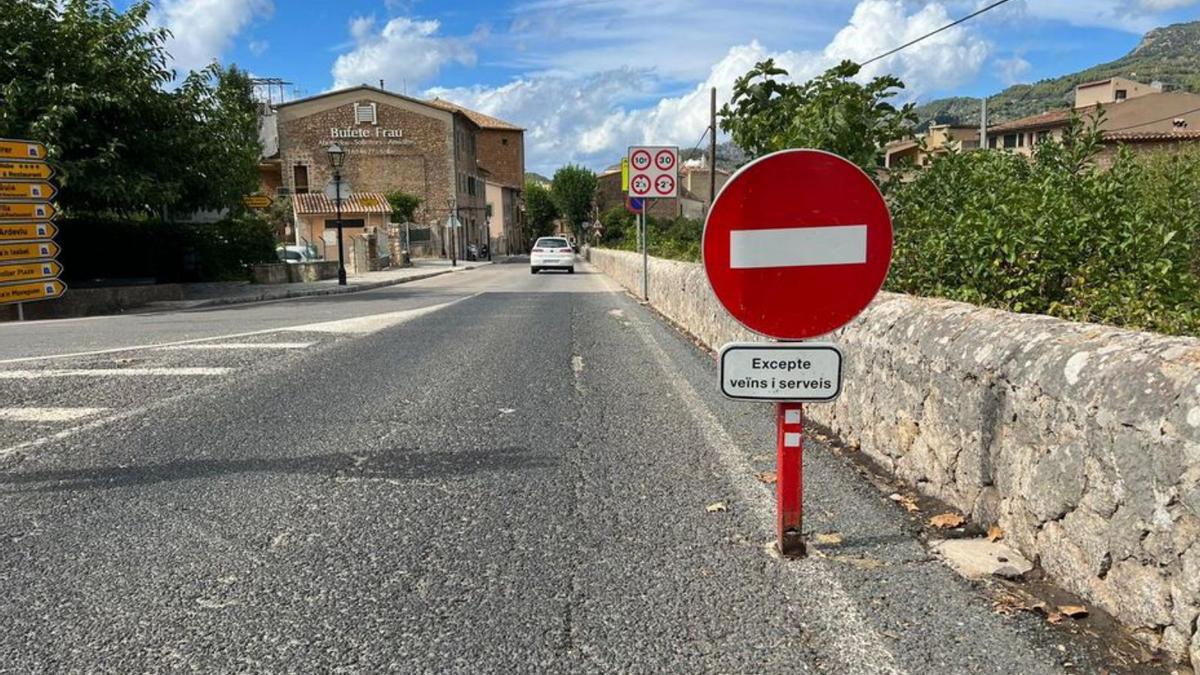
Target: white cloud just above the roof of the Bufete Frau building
404 51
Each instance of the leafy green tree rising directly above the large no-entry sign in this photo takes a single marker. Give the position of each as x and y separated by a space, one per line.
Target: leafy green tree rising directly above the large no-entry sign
831 112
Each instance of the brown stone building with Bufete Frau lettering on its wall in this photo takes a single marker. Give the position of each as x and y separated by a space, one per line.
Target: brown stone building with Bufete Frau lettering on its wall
393 144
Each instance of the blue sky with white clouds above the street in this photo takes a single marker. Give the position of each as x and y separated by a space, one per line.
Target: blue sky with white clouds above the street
587 79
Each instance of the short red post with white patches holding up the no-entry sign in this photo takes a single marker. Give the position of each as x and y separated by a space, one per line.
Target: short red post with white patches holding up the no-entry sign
790 480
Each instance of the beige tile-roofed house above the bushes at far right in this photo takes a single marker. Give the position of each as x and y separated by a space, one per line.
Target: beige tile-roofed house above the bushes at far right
1136 115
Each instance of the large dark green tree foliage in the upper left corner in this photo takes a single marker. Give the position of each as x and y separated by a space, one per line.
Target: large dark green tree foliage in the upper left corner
94 85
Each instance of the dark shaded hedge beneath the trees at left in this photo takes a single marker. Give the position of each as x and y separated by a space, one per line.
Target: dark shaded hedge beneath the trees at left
110 249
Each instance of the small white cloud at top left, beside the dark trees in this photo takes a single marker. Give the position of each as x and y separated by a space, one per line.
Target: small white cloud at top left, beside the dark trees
203 31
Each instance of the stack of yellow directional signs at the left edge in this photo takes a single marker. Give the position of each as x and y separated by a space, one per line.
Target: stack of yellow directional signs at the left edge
28 267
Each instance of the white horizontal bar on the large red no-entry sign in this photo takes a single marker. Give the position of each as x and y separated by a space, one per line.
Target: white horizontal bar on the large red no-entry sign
799 247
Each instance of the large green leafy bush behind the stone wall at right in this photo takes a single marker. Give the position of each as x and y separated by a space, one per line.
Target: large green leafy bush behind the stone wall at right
1059 235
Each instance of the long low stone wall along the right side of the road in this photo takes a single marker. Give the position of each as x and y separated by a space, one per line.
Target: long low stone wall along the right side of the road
1082 443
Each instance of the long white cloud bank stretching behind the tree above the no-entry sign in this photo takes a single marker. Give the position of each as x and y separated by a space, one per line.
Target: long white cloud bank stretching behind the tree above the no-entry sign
581 118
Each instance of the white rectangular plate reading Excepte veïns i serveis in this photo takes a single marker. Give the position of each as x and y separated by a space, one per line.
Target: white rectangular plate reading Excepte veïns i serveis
782 372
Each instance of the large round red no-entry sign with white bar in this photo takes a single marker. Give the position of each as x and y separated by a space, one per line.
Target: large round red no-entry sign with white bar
797 244
